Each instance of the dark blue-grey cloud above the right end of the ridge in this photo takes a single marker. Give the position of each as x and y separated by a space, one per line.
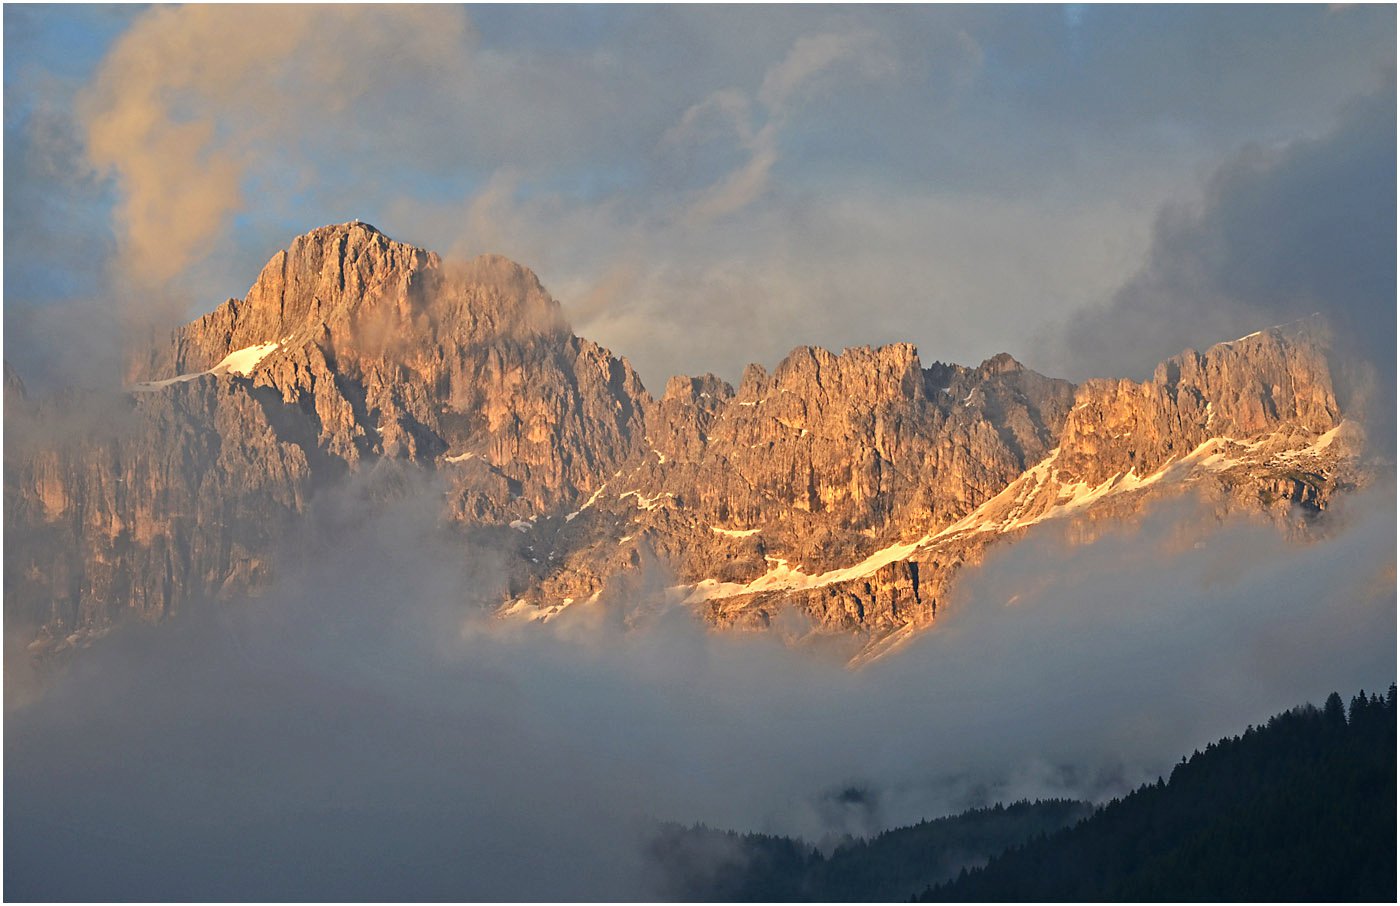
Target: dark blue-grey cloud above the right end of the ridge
1279 235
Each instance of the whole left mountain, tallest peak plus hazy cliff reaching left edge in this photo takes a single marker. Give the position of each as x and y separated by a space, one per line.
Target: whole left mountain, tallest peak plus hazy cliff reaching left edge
351 351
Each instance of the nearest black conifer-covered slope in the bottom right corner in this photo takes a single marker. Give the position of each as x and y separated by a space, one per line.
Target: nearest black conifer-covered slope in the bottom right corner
1303 809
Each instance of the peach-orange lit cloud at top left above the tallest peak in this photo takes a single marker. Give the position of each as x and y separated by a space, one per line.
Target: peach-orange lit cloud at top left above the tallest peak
191 99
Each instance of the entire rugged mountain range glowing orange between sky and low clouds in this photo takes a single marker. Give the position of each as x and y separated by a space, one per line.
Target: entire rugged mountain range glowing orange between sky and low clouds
845 488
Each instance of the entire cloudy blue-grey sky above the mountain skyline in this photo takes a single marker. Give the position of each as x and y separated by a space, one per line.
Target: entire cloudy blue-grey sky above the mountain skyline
1090 188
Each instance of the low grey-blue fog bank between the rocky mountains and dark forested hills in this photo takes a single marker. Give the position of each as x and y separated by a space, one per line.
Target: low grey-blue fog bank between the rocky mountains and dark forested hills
365 733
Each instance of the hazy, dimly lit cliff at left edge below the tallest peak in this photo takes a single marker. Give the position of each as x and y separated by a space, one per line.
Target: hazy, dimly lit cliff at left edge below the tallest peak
139 505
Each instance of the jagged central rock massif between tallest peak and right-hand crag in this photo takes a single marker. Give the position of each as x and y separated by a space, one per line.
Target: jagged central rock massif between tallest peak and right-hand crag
814 468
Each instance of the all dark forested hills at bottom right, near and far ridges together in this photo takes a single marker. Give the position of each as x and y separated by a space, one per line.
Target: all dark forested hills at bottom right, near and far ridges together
1301 809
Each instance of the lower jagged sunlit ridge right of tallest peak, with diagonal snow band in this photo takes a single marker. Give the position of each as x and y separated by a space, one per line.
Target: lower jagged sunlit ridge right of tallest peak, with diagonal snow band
860 515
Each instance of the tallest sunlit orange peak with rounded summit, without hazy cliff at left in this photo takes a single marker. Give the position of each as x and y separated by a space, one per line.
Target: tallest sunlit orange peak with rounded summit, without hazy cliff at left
390 354
